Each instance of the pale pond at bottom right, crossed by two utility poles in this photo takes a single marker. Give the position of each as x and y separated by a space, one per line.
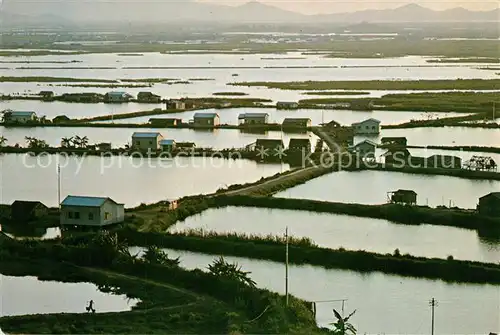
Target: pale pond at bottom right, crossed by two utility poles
385 304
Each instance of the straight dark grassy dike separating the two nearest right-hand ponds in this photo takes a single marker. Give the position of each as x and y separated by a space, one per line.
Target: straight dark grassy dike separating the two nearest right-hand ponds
360 261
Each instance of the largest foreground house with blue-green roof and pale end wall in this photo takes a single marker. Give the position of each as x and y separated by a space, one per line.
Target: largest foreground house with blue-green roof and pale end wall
91 211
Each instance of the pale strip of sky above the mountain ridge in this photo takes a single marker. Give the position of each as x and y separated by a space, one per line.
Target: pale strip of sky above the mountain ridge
336 6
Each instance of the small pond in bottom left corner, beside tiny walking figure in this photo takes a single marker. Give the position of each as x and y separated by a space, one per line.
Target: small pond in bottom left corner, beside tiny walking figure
28 295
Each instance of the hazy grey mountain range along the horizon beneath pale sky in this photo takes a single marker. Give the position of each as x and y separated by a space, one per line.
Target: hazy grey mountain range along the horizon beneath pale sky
174 11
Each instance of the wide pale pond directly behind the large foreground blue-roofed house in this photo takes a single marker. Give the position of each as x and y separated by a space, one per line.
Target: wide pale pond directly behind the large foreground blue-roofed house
130 181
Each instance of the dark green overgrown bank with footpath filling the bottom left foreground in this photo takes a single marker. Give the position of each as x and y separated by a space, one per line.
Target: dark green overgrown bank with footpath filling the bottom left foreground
172 299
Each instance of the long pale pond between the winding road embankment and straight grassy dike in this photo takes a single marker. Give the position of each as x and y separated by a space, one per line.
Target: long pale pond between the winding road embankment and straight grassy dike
350 232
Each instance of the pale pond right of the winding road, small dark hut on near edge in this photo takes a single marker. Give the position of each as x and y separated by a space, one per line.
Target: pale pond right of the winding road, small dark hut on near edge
371 187
